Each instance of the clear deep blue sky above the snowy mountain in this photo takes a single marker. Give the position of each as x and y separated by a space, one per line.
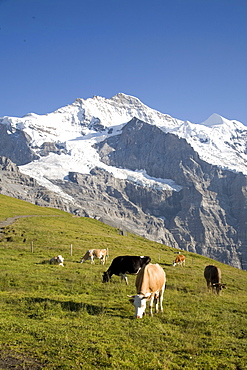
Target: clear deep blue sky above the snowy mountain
186 58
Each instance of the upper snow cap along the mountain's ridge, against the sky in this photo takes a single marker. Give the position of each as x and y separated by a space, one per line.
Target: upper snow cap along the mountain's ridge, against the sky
217 140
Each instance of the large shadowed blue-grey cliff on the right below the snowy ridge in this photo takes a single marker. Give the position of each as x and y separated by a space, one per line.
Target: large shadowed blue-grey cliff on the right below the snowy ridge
209 215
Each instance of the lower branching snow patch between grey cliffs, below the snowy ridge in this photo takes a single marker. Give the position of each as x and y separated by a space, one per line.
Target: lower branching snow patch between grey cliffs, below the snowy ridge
83 158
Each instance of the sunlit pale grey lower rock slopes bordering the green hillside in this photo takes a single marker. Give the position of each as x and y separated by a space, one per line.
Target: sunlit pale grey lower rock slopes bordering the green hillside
97 195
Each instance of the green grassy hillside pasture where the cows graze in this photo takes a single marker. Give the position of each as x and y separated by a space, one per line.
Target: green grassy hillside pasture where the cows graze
54 317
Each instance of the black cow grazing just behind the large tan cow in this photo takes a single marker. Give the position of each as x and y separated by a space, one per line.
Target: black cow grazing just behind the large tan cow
123 265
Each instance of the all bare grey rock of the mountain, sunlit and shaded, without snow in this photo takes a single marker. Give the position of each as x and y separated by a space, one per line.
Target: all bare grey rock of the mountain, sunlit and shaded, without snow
208 215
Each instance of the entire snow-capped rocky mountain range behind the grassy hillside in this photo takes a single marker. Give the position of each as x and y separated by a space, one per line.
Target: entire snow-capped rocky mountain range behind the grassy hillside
117 160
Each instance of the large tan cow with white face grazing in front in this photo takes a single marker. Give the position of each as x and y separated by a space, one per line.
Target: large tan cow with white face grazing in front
150 285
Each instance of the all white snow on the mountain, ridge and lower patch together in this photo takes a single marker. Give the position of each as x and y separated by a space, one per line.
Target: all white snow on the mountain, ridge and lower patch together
77 127
